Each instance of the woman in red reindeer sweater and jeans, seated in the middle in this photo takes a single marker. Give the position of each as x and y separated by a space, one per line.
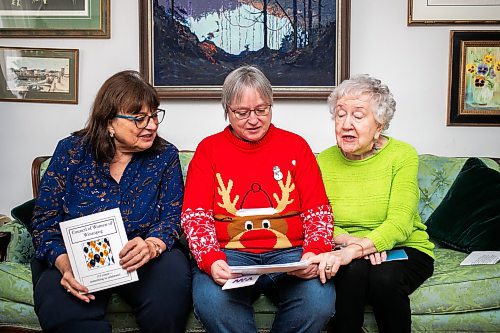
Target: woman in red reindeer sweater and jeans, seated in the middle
254 195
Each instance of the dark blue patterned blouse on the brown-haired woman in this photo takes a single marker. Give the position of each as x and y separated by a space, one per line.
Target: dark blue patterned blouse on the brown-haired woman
149 195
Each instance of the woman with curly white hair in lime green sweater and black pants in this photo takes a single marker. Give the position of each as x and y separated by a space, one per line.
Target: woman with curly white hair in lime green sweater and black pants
371 183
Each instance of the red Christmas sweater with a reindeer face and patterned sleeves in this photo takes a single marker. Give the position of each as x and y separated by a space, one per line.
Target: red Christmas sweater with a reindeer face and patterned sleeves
255 197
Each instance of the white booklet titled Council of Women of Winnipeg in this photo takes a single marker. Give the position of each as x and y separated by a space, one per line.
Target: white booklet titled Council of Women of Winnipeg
93 243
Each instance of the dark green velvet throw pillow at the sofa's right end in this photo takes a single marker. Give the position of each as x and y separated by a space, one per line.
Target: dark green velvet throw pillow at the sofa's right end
468 218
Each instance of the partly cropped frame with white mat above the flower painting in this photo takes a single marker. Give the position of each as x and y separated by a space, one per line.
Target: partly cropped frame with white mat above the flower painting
422 12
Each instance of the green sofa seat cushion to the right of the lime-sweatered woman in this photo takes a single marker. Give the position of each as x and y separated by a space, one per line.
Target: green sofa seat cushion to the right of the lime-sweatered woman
457 289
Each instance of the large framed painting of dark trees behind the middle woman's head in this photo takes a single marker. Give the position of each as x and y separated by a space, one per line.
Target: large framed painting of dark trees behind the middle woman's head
188 47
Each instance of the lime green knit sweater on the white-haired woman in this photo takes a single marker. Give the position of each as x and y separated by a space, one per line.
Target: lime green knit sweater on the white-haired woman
377 197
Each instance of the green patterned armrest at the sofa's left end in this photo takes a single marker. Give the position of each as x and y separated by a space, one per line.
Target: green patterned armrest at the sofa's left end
20 248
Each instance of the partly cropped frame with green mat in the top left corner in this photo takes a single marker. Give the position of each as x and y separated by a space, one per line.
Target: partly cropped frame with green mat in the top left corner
55 18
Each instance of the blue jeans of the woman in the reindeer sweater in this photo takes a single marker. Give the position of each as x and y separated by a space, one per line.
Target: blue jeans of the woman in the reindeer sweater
303 305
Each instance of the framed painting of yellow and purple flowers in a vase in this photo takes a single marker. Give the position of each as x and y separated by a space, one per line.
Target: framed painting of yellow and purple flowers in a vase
474 86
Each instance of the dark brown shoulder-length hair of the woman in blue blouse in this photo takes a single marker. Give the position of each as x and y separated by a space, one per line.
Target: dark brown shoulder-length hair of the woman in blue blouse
125 92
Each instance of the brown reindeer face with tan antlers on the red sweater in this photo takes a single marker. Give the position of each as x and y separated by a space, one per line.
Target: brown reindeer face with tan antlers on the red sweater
264 227
